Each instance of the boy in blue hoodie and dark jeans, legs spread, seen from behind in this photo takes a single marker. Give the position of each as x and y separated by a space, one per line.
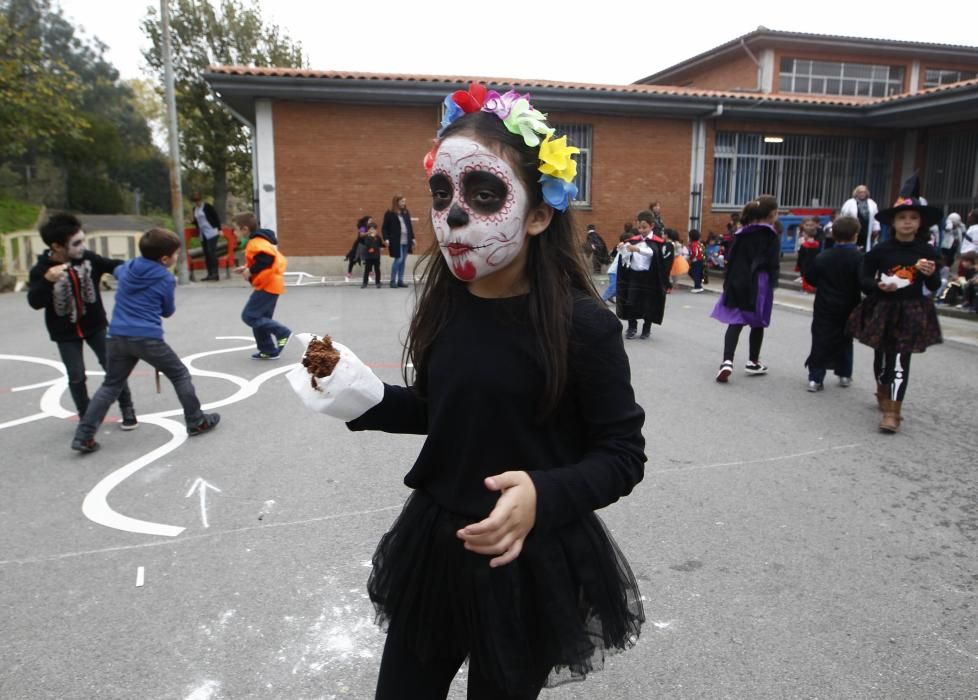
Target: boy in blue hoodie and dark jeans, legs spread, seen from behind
145 294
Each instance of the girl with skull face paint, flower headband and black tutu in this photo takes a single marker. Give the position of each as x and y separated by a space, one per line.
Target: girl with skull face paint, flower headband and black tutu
523 390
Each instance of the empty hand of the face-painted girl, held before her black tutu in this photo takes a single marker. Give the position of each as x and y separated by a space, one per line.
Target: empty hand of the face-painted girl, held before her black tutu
507 526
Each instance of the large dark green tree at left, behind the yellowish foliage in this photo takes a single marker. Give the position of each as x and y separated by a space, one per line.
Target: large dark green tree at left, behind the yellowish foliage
109 150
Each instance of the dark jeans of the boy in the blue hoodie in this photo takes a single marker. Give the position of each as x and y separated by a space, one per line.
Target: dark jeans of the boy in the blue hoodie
123 352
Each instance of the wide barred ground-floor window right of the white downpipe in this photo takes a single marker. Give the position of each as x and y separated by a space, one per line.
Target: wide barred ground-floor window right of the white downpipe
800 171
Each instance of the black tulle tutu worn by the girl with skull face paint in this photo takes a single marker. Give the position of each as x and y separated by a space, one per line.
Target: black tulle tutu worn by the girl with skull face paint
568 600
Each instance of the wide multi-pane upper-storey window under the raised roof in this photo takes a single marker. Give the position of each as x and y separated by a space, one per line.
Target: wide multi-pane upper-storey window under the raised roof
839 78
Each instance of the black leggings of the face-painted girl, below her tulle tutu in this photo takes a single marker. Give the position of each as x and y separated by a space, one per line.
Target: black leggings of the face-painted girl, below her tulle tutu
403 675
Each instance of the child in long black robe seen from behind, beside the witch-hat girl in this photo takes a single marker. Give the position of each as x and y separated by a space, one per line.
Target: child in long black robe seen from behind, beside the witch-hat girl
835 275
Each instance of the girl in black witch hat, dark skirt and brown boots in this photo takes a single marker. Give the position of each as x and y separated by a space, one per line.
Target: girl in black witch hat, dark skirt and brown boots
896 319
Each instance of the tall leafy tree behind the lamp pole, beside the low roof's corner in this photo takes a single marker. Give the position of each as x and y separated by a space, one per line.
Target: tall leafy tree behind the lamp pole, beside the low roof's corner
211 140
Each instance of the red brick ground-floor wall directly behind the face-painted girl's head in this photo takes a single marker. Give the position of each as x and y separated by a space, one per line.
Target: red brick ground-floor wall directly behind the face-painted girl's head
335 163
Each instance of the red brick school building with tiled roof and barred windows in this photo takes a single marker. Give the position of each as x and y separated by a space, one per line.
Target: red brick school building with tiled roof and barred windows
804 117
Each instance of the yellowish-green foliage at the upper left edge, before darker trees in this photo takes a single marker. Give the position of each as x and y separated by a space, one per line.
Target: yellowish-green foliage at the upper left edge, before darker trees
37 92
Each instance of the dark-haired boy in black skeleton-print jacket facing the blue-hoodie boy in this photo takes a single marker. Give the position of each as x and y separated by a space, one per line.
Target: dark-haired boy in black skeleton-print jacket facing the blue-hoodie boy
65 283
